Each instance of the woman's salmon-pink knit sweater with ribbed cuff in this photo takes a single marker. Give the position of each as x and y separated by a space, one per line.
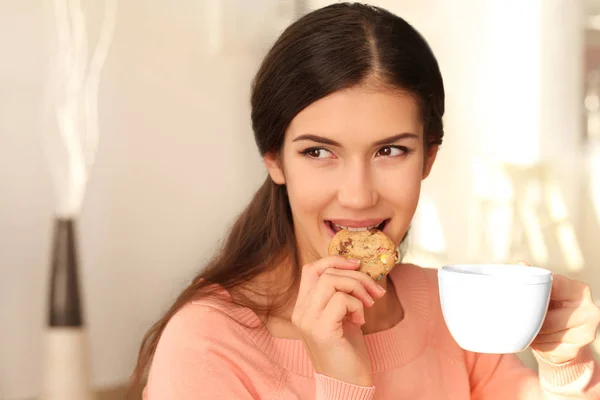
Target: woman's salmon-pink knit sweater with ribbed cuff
205 354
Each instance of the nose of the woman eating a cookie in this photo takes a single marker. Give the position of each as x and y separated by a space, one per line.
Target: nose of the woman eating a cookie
356 188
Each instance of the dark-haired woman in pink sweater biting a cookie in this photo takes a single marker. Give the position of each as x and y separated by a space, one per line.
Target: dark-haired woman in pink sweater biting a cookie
347 113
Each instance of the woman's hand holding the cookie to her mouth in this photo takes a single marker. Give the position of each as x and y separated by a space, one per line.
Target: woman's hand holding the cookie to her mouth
329 313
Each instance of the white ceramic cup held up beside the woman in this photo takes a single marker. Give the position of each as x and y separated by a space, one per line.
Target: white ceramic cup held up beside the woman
494 308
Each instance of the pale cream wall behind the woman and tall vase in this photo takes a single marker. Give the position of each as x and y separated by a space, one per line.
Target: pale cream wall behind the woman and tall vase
177 158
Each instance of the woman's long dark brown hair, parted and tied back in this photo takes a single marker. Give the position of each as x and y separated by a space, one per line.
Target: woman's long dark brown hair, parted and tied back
330 49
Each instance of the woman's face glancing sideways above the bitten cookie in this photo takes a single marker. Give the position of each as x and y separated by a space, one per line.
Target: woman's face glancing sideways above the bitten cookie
354 159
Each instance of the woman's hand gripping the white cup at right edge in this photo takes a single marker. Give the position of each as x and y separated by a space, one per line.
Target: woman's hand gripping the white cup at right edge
571 321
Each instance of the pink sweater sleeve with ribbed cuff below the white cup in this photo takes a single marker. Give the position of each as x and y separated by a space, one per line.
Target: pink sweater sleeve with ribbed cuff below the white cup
495 377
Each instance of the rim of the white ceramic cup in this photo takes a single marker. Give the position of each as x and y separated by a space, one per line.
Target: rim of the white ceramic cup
467 271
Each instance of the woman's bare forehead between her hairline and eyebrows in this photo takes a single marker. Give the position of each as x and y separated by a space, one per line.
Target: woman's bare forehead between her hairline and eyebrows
359 113
